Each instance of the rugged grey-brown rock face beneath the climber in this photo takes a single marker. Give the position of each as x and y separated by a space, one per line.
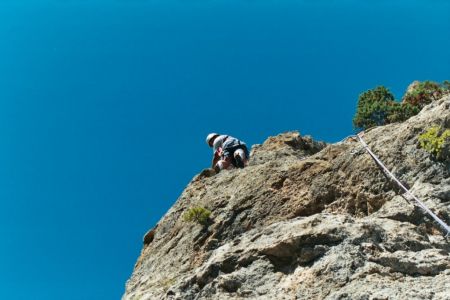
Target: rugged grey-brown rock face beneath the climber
307 220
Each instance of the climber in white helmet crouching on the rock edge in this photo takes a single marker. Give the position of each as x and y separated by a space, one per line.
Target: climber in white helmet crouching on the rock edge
228 152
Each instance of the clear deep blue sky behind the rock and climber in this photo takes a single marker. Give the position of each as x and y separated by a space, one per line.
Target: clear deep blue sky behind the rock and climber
104 107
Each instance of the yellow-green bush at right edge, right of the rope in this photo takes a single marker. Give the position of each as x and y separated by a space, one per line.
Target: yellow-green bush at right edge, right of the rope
434 140
